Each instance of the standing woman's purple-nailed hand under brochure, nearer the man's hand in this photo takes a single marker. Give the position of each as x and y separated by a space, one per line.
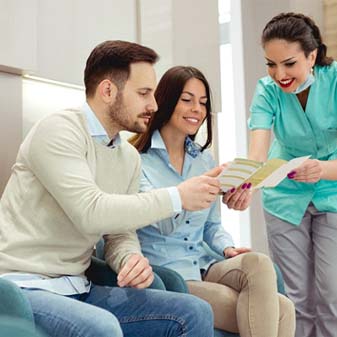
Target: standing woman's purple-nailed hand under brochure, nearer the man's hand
238 199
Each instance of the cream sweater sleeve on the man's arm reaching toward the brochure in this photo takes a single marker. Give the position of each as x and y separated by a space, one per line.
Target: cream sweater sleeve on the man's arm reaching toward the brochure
56 154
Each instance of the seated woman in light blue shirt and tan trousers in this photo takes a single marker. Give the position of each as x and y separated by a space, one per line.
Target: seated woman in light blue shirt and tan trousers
242 287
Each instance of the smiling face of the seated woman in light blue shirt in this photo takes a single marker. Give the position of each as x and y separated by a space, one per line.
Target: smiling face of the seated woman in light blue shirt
190 111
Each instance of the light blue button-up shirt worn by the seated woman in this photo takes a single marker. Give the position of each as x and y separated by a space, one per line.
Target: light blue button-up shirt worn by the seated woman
185 242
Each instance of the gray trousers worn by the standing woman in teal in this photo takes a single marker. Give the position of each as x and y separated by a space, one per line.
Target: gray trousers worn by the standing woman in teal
307 257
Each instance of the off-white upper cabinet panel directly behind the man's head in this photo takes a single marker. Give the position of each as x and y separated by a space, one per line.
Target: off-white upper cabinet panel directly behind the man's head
68 30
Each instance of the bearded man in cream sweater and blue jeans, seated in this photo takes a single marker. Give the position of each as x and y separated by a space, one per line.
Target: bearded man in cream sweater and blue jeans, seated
75 180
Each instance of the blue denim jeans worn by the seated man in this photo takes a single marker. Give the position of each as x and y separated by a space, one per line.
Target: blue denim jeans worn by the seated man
117 312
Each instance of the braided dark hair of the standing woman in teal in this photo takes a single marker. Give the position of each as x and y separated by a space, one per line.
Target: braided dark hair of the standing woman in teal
294 27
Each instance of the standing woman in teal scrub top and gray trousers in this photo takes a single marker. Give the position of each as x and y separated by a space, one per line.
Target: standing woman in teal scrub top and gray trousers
299 100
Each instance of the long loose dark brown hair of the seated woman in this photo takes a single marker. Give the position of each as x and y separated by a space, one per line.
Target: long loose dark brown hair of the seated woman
167 95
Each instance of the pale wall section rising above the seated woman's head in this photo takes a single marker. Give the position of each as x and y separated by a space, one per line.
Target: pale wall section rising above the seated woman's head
184 32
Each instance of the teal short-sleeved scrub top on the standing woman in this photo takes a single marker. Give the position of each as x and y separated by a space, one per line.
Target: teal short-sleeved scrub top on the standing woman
299 132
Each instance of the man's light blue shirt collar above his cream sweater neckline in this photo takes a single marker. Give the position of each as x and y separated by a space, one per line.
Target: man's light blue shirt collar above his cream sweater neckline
96 129
